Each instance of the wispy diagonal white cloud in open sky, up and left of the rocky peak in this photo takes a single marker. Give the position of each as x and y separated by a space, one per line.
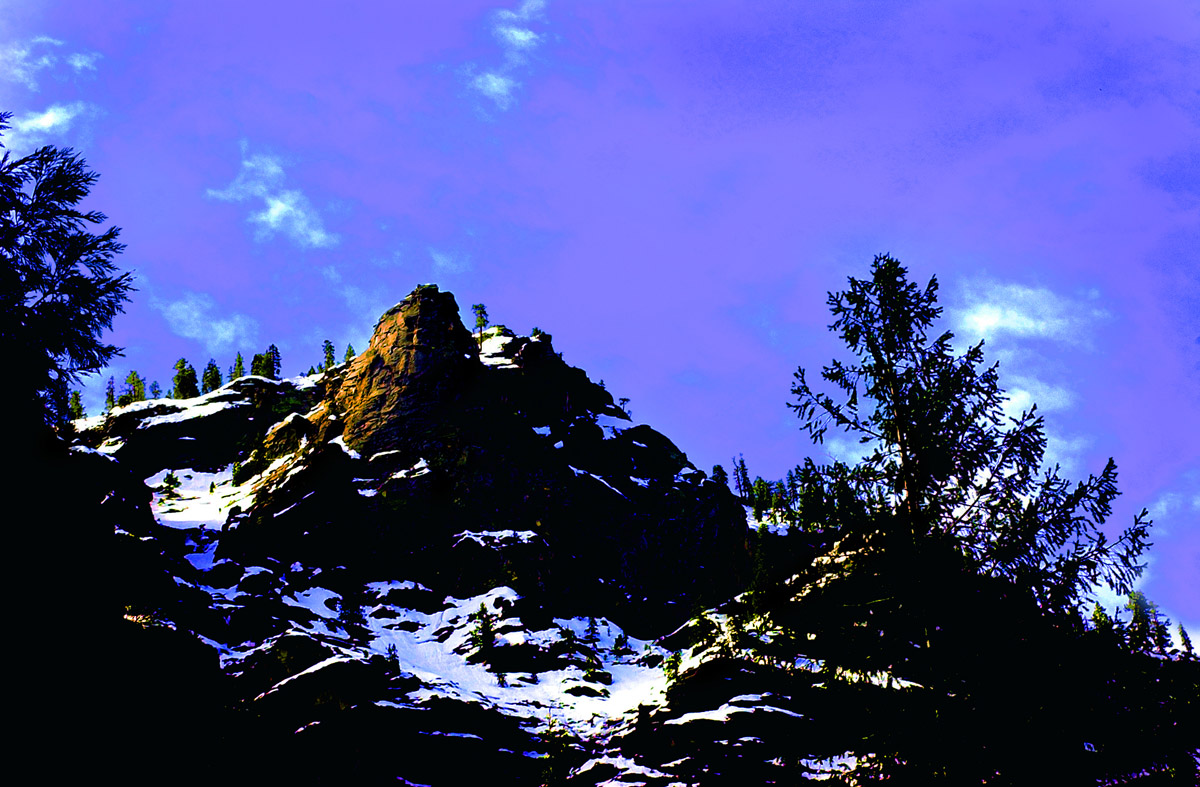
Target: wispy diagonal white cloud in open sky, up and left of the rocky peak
286 211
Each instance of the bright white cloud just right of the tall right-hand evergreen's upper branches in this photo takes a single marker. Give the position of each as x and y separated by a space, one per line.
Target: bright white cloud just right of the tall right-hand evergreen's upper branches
994 310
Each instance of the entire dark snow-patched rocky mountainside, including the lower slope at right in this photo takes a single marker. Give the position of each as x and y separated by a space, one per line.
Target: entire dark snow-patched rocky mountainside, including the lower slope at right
455 560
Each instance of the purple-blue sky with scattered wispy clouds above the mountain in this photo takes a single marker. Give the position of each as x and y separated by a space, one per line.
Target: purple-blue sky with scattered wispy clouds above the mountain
669 189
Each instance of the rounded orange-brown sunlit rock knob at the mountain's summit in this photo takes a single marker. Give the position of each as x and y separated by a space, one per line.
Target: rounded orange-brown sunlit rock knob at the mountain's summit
419 358
